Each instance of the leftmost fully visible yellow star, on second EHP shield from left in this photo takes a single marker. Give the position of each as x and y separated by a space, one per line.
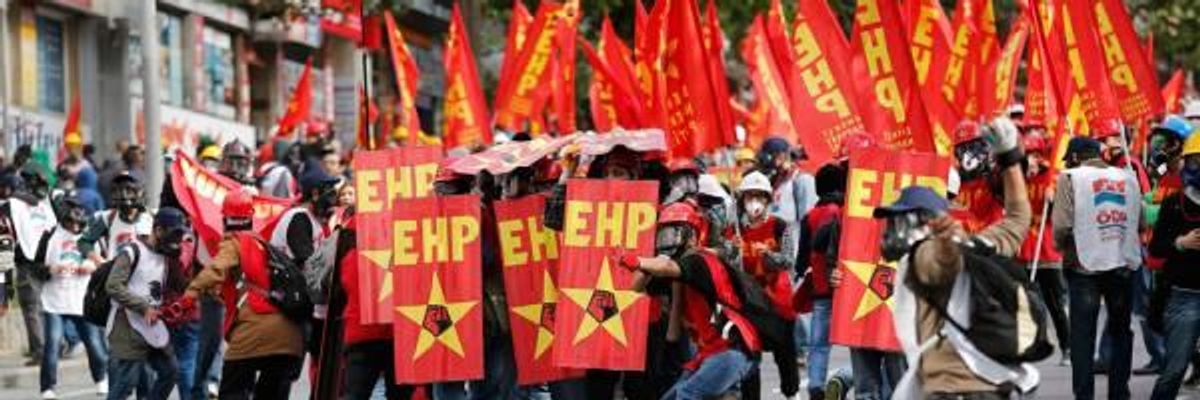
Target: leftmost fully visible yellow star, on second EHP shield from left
439 320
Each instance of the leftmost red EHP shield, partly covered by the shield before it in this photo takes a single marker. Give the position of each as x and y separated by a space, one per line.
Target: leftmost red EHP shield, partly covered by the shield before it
381 178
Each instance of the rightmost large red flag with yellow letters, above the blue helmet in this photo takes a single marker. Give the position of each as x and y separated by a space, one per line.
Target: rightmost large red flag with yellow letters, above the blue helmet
1135 81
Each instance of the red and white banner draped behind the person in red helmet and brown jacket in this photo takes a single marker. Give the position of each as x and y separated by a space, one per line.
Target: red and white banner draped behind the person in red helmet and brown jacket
201 193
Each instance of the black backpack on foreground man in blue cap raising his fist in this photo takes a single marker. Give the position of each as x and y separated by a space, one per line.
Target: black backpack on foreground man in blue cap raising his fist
1009 317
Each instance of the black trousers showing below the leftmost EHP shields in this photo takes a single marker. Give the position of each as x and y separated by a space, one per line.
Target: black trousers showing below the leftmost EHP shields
365 365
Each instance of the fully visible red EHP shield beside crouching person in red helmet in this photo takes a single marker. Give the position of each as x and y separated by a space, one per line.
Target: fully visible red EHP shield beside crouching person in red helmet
603 321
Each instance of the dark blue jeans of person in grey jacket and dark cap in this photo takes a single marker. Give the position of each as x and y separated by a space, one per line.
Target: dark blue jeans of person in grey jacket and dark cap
153 377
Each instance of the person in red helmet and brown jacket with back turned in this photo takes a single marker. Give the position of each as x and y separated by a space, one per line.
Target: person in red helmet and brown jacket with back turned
266 349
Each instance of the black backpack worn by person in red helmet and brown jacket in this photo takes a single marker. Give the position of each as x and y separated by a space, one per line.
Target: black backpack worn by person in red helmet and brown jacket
290 289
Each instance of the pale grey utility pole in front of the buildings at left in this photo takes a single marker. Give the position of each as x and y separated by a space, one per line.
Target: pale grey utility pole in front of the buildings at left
154 157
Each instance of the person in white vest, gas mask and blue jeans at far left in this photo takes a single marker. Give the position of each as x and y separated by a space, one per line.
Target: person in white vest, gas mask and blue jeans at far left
63 297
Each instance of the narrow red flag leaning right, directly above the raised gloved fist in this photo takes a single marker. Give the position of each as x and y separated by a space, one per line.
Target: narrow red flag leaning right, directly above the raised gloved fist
1000 79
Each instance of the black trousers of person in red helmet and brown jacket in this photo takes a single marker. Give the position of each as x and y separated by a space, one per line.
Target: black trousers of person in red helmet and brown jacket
261 378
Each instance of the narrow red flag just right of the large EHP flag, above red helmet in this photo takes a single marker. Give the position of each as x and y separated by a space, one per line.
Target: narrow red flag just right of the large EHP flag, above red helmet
929 33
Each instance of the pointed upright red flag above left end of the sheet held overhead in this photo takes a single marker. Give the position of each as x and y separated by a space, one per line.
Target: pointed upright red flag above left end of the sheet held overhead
466 111
